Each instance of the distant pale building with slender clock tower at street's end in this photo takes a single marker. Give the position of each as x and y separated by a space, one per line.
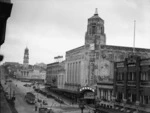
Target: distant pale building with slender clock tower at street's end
28 72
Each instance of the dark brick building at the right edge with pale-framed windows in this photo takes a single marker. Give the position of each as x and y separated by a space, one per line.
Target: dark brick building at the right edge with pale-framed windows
132 84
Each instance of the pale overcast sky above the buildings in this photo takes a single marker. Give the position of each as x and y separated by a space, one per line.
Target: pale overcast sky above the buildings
51 27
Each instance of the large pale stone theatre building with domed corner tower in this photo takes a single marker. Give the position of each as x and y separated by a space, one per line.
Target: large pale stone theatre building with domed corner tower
93 63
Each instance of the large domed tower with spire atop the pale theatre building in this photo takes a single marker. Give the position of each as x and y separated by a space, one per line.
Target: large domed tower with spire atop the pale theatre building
95 31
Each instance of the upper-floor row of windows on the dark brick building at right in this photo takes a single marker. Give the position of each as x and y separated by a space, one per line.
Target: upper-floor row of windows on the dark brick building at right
131 76
